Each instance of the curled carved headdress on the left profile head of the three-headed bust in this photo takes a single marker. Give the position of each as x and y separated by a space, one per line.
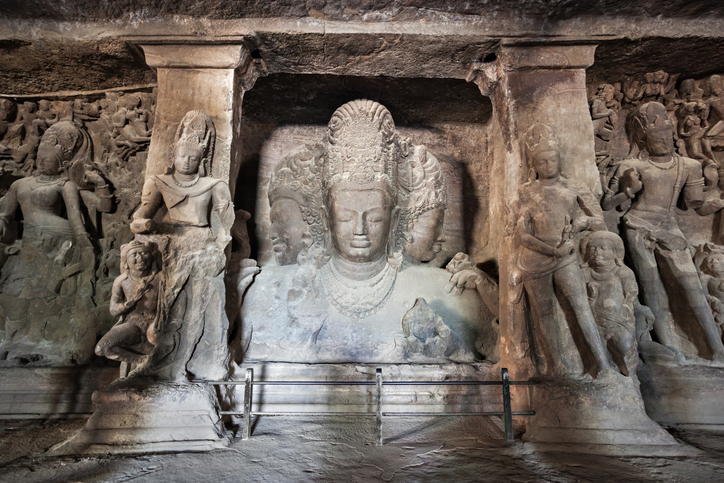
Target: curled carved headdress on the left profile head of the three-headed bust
298 176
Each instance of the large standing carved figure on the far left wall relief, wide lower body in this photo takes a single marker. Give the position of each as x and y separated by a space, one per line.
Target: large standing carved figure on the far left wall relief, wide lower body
47 286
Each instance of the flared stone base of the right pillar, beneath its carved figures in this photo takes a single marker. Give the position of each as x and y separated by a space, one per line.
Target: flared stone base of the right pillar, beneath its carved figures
608 411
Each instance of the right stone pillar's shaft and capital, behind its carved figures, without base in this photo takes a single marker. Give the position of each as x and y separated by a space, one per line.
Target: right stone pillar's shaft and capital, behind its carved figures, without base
530 84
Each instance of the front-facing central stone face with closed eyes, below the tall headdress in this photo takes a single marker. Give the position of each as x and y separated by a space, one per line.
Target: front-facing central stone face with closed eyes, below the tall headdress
360 217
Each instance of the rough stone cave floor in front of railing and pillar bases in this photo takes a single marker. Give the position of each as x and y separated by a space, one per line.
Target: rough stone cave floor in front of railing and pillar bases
341 449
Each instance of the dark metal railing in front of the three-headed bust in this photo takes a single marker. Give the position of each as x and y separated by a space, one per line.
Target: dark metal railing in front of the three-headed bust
249 383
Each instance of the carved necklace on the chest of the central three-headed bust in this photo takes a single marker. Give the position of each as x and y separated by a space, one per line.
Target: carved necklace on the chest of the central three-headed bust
358 298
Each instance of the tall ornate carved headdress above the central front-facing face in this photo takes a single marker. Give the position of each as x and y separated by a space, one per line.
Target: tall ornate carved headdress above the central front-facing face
361 146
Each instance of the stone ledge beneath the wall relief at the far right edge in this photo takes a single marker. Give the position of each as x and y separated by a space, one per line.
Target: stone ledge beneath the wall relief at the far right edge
684 396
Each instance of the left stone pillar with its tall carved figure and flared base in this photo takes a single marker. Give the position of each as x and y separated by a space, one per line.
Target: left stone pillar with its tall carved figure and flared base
160 405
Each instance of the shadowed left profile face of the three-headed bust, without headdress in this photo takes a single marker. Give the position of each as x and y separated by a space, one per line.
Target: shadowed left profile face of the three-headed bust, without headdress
287 230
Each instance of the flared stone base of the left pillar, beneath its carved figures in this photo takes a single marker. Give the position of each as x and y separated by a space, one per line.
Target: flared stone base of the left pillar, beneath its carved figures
133 418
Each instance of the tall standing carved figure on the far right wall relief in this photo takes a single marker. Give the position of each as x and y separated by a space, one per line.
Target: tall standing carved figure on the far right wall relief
650 229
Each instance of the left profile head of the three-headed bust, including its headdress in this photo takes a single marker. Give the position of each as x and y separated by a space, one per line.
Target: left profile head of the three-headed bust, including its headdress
295 198
